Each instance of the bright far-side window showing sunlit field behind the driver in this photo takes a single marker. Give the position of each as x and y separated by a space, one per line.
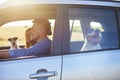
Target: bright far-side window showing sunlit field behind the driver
18 29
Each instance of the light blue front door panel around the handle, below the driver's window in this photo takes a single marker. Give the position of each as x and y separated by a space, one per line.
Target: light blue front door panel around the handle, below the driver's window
22 69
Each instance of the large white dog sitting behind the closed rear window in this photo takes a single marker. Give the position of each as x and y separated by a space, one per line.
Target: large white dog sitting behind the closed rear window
92 40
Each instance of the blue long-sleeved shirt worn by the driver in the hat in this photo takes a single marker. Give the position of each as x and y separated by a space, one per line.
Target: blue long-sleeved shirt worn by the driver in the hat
40 48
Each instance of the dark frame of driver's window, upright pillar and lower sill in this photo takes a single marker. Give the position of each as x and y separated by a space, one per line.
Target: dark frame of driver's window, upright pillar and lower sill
56 39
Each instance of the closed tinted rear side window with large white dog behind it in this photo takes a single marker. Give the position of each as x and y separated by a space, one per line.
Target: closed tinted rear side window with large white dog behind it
92 29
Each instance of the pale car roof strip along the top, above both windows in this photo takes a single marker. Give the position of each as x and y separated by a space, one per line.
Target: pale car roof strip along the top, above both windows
81 2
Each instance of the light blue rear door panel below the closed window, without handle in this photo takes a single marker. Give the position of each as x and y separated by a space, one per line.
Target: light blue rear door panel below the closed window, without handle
101 65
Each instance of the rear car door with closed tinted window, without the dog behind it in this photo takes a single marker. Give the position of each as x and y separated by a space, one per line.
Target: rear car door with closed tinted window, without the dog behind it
92 64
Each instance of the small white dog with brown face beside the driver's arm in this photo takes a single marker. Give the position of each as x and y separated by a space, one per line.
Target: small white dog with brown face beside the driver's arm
13 43
